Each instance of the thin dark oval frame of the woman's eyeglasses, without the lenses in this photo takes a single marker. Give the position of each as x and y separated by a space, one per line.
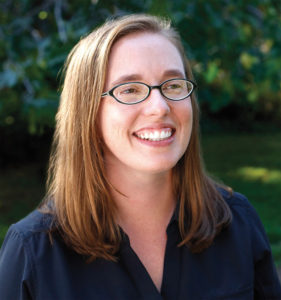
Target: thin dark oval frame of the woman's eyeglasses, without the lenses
150 88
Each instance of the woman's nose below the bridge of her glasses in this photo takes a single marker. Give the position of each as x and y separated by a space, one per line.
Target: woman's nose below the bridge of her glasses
156 104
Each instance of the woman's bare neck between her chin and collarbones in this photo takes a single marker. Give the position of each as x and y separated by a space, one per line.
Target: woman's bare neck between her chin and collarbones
143 200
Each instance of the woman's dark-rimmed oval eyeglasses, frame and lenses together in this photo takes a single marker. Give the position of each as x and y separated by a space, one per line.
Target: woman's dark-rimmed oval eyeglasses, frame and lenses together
135 92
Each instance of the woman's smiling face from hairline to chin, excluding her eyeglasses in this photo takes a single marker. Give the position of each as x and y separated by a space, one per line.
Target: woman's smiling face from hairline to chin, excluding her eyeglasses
131 132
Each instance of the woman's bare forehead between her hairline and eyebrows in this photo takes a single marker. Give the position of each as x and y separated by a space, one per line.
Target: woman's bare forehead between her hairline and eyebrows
145 54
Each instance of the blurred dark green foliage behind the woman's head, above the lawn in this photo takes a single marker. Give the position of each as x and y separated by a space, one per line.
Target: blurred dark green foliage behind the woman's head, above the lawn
234 47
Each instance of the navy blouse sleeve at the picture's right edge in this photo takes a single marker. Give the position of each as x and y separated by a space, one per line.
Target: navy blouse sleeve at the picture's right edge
266 285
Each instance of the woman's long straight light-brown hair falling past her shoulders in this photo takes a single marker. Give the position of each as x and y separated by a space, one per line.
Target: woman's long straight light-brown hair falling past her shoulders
83 208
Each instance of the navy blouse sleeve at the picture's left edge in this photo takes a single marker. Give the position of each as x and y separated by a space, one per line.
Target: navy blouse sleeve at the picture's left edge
15 270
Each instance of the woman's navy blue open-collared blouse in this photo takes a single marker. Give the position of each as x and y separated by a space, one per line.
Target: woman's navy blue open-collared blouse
238 265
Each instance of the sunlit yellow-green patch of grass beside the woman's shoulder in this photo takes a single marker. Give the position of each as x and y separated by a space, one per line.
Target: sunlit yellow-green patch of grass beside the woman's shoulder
260 174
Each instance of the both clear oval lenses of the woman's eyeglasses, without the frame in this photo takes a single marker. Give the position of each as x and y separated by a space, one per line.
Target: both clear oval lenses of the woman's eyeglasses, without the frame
132 92
